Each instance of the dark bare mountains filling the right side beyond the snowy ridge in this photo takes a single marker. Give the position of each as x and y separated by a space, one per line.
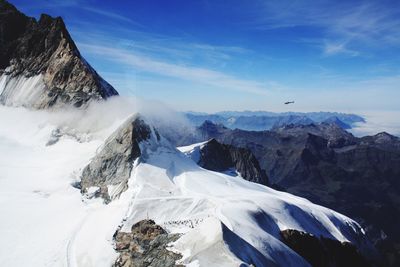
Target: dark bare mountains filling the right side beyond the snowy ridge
358 177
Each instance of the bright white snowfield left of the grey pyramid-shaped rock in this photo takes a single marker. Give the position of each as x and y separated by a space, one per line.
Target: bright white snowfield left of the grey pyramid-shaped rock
40 211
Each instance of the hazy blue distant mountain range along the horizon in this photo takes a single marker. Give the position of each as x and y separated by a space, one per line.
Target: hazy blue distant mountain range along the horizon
264 120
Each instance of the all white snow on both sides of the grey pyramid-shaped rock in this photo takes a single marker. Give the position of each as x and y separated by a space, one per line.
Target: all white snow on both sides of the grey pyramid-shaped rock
224 220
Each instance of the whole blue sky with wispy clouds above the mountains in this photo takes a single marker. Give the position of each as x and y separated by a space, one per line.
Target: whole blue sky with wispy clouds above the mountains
236 55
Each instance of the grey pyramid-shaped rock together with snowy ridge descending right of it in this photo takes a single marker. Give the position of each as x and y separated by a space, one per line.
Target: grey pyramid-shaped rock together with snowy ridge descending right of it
239 220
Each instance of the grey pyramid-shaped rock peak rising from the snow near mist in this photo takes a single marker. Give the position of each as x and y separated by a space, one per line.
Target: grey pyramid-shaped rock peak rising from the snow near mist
112 166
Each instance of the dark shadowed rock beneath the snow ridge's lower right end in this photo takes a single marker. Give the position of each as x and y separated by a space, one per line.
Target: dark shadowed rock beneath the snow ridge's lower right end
322 252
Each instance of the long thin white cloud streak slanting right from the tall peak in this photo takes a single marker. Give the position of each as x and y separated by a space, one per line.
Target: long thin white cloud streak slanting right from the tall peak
191 73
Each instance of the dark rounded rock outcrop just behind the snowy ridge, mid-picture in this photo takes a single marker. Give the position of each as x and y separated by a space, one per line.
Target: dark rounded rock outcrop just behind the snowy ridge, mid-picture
219 157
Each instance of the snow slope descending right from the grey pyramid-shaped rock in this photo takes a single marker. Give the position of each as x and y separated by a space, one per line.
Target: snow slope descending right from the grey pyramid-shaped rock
170 187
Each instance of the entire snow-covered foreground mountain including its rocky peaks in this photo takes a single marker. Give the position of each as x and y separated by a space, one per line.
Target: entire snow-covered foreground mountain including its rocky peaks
80 187
